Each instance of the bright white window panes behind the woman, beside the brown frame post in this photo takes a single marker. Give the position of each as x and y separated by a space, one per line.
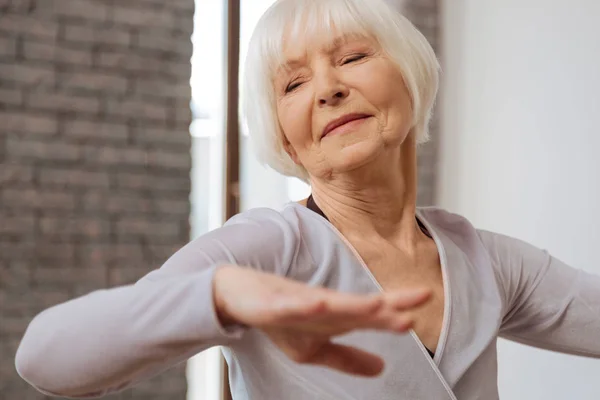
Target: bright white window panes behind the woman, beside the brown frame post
260 186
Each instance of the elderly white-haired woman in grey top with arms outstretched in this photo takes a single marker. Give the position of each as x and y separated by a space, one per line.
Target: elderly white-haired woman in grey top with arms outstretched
353 293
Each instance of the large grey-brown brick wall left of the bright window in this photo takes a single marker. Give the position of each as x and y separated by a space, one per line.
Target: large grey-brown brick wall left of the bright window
94 157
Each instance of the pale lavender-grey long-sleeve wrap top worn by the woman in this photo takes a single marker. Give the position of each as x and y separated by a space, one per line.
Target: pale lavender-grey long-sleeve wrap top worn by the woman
494 286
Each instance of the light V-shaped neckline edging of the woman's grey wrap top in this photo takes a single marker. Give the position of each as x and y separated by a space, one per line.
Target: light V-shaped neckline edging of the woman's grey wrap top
435 361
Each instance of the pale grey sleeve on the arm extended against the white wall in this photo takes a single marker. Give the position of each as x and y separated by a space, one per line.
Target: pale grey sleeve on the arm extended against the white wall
548 304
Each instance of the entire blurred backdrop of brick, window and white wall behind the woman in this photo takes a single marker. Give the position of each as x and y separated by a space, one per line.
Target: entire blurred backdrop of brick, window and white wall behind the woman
119 143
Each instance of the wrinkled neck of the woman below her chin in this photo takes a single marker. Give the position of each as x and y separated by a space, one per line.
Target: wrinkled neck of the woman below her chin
378 198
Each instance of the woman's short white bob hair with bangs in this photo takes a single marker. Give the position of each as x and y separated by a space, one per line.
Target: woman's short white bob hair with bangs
402 42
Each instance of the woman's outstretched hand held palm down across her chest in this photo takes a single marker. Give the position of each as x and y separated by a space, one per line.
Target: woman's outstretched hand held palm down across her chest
301 319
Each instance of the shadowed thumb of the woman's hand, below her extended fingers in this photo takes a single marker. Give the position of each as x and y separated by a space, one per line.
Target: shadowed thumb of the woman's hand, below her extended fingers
349 360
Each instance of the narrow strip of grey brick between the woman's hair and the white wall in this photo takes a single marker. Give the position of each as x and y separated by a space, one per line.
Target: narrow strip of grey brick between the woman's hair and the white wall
424 14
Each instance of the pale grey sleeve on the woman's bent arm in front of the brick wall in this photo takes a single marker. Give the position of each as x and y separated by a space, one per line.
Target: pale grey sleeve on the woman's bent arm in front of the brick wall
111 339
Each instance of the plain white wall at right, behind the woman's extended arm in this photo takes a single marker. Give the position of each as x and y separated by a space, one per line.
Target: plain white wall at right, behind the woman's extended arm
520 152
